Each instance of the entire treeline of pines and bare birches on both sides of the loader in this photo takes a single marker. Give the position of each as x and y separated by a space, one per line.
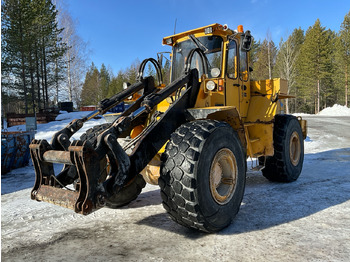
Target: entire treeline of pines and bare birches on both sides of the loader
43 61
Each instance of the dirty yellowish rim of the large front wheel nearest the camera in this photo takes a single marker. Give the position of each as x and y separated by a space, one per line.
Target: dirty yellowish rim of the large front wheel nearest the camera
223 176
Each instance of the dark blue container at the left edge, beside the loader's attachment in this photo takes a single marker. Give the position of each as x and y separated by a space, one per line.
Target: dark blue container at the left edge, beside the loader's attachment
15 150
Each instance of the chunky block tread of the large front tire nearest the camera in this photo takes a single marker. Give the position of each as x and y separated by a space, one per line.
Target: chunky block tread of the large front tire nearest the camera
182 205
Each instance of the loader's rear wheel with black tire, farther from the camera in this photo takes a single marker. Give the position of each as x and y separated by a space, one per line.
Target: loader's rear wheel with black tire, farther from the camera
288 143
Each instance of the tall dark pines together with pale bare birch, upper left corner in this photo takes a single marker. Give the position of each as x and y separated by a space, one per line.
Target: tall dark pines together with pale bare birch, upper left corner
42 57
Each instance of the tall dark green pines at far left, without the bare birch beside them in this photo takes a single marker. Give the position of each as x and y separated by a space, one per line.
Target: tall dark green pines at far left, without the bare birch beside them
31 50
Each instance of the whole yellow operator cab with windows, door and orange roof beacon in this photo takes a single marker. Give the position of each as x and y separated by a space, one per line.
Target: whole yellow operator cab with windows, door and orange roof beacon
221 57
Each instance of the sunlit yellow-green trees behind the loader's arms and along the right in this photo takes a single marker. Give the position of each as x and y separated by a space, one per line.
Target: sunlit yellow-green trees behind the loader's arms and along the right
316 64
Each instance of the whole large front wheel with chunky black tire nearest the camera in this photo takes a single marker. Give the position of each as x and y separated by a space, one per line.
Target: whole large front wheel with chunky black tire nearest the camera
186 182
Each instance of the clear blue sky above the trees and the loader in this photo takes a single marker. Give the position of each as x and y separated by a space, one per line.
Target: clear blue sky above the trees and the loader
118 32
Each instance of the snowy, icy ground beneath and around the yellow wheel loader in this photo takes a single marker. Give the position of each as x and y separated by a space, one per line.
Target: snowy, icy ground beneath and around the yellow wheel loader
307 220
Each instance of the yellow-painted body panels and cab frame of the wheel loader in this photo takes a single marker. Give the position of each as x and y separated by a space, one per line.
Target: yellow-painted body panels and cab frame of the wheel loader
248 106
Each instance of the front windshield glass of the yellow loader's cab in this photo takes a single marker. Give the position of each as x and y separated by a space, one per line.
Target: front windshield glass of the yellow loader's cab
213 44
